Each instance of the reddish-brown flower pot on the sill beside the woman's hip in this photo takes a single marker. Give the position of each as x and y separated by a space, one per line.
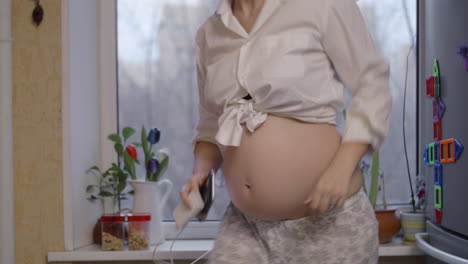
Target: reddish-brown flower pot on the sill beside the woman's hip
389 224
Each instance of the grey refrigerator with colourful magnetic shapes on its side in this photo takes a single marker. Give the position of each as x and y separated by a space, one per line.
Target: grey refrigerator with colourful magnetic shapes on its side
442 129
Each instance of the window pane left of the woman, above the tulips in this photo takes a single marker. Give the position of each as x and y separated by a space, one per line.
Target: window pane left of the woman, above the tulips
157 81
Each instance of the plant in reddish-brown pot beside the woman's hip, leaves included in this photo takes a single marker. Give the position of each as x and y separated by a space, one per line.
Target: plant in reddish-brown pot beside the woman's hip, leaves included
389 224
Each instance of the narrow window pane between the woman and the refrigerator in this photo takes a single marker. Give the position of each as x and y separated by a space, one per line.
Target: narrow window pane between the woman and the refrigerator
393 27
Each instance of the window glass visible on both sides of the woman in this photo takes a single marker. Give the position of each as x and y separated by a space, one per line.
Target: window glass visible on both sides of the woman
157 81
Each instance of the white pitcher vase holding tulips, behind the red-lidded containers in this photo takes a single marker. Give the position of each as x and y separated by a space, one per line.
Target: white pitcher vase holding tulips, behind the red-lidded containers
151 197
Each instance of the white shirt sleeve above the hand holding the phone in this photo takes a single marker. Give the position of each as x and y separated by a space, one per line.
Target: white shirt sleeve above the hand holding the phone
207 125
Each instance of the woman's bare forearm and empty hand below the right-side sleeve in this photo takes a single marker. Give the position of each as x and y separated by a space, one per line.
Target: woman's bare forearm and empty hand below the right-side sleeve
332 188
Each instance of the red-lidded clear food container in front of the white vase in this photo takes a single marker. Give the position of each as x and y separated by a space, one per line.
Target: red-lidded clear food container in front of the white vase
138 231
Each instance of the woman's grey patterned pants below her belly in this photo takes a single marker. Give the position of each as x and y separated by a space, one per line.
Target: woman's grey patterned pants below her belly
341 236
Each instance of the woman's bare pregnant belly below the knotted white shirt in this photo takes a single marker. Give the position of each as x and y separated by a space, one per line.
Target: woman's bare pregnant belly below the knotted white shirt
271 173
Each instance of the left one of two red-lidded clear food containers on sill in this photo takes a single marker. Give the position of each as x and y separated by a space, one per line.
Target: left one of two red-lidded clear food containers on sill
113 232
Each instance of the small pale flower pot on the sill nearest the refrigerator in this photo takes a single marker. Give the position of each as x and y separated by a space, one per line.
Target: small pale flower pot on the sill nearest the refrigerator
412 223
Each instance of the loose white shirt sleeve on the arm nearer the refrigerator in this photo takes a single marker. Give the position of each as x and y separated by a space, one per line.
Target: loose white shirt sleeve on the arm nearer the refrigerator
362 69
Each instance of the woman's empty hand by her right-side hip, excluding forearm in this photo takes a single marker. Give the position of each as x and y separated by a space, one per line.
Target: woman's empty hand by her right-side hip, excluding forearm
331 190
